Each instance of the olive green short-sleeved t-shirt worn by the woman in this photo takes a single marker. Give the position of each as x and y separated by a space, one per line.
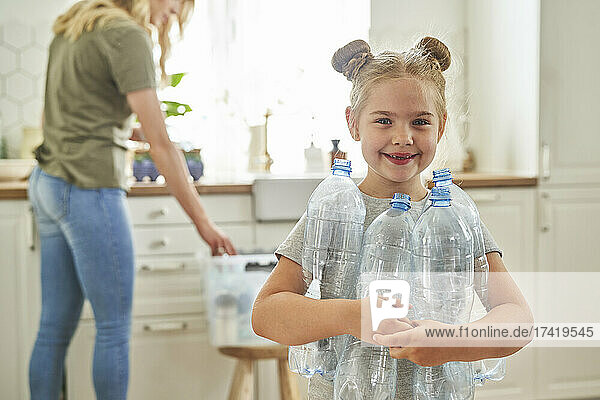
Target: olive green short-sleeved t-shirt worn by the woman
86 116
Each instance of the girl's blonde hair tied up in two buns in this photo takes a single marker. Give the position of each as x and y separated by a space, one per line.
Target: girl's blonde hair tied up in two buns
425 61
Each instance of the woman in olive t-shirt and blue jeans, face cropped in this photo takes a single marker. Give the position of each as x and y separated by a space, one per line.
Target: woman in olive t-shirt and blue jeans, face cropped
100 69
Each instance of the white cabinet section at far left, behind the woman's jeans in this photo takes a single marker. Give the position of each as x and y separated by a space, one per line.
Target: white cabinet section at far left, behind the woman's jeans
19 296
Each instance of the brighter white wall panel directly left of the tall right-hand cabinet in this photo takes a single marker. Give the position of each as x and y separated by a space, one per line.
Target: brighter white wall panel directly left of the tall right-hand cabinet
503 74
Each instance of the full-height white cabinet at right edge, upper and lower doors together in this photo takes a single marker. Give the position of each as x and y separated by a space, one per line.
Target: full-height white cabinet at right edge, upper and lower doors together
569 197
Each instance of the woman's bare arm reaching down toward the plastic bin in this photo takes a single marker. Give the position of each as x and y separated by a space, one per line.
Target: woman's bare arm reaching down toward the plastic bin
171 164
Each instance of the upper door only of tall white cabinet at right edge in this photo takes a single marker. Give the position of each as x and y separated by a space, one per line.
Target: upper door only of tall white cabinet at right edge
569 83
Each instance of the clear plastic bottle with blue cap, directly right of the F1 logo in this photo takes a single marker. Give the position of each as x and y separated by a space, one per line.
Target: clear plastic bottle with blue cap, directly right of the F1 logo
443 290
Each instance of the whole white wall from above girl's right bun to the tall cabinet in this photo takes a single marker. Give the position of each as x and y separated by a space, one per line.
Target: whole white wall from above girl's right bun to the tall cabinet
493 82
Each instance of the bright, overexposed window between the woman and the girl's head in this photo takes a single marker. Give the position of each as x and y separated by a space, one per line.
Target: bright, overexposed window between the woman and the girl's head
244 57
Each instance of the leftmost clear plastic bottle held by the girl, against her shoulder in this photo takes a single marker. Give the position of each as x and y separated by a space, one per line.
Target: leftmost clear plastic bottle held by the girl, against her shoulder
333 235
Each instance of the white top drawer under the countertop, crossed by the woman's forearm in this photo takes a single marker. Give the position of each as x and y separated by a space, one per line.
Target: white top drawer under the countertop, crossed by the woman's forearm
166 209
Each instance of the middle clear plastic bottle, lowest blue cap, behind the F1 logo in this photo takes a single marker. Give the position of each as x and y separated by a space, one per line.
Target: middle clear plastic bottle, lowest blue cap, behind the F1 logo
368 372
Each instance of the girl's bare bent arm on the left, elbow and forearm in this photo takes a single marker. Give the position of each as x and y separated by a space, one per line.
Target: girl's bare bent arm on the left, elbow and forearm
282 313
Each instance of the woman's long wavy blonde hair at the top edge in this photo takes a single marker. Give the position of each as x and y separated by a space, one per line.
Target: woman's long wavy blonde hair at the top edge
85 15
